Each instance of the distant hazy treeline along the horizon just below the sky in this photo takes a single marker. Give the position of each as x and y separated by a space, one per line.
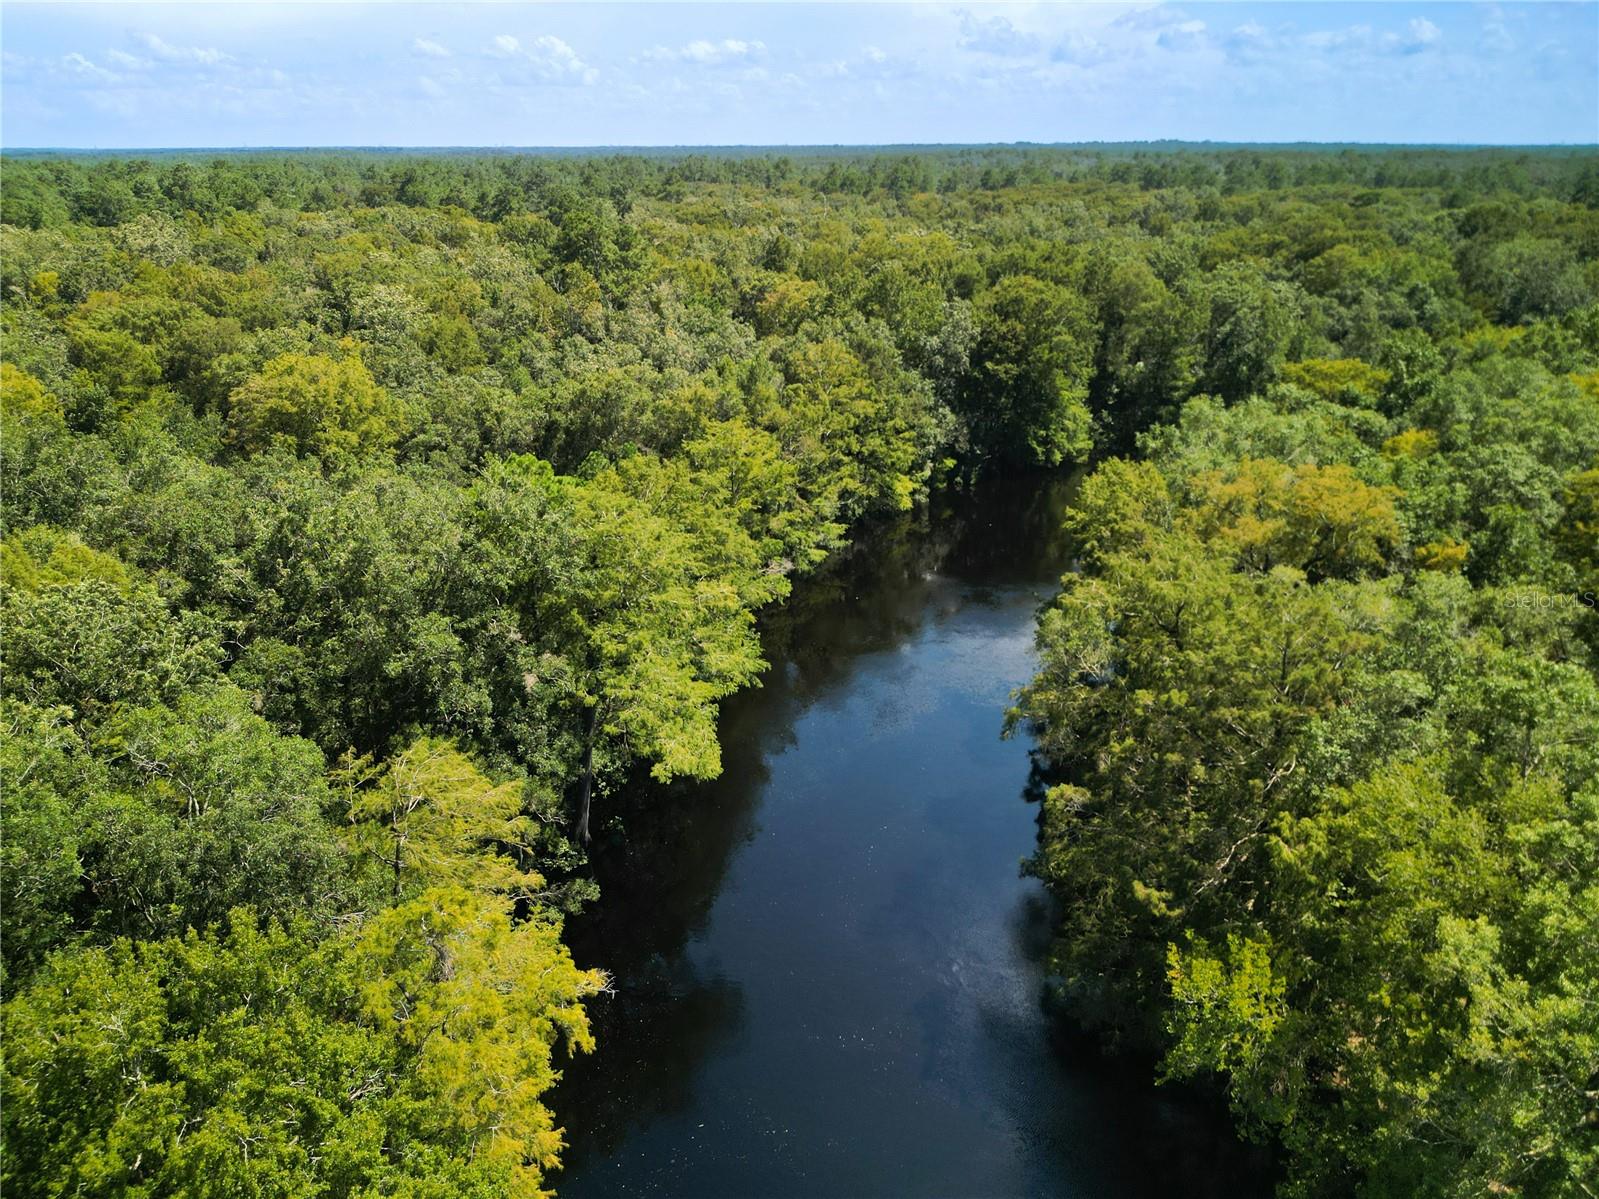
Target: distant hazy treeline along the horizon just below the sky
106 189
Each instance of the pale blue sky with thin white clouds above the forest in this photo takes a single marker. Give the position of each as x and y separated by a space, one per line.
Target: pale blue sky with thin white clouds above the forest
661 74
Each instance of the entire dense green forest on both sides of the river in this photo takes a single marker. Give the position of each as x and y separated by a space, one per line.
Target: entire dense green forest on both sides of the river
373 520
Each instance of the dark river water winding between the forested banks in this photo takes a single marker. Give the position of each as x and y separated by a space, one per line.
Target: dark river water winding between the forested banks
827 966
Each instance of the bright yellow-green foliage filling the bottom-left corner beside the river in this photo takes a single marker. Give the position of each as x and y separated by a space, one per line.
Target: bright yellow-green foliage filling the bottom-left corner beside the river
404 1058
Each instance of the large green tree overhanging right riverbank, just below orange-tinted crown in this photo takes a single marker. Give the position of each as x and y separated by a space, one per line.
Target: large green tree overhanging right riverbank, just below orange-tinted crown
1181 698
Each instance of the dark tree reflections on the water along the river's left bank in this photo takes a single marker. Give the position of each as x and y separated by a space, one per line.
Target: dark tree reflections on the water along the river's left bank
663 854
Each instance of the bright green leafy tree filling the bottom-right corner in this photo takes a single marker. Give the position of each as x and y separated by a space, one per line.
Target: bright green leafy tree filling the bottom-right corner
1430 966
